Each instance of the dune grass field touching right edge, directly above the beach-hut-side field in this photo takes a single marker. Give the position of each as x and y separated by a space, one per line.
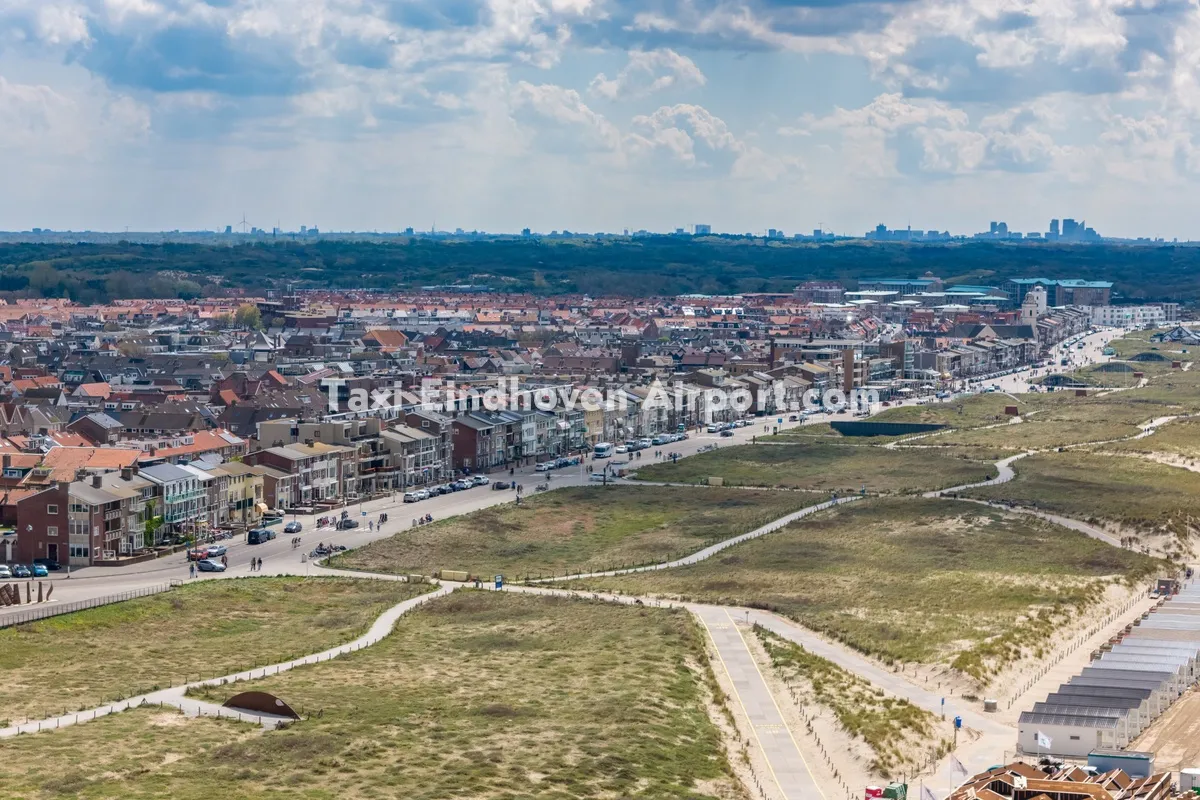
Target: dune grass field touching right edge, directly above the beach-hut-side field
1139 496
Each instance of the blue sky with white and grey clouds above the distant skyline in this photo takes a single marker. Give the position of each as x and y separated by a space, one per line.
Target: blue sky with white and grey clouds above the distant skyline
601 115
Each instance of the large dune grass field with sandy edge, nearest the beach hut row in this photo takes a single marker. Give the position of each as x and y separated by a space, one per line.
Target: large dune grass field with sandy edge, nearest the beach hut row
910 580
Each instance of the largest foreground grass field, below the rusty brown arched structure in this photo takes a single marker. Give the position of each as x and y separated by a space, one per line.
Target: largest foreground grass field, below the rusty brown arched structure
478 695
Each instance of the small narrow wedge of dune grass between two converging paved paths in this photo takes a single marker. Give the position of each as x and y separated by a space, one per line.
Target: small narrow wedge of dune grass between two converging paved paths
899 733
